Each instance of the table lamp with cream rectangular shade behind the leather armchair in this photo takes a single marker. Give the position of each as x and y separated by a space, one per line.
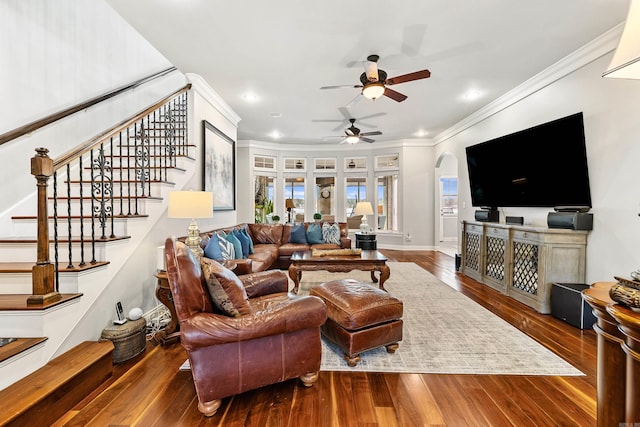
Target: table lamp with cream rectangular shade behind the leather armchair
191 204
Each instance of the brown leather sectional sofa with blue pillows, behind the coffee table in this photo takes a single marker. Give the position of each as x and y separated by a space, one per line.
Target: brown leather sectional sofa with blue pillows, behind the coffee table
272 249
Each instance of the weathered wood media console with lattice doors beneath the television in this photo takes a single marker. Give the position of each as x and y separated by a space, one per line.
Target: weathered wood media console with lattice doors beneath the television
523 261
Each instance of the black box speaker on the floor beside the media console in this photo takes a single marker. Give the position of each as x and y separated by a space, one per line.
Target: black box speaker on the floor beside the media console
567 304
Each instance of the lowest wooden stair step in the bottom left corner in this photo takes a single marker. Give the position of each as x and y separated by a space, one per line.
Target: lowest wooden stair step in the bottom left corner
37 399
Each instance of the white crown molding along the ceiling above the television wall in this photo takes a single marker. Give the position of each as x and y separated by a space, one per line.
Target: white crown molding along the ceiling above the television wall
588 53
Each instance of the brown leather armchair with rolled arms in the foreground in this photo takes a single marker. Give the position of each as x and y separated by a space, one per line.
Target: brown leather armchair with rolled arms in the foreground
277 341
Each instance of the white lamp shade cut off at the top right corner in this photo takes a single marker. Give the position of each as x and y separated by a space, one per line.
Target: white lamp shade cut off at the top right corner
626 60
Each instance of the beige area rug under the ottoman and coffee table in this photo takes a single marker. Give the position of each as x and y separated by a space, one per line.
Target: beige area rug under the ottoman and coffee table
444 332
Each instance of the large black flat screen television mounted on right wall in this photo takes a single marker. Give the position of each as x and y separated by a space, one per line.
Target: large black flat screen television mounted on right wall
543 166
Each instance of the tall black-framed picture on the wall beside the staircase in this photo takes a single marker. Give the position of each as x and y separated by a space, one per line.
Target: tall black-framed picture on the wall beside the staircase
219 167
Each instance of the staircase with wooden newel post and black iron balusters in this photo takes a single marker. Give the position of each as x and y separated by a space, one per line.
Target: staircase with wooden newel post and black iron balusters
79 228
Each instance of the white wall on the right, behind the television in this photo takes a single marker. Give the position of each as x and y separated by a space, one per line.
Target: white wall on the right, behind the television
612 127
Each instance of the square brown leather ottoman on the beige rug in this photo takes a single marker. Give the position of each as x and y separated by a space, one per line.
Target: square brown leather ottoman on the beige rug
360 317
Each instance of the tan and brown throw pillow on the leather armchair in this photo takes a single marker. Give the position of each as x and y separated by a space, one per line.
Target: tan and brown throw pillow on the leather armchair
226 290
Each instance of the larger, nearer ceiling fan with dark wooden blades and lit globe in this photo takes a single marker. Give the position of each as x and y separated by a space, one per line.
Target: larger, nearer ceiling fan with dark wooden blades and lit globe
375 82
